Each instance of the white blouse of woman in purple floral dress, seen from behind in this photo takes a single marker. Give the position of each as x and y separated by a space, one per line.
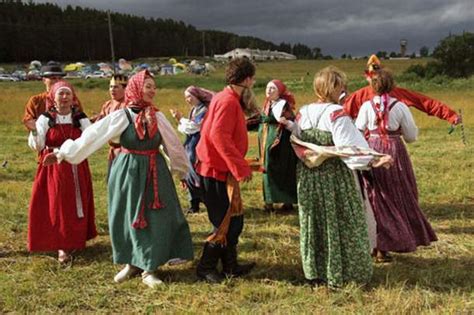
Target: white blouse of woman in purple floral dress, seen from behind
399 117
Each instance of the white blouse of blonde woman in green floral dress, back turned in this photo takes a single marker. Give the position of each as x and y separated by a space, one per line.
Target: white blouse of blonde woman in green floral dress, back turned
343 131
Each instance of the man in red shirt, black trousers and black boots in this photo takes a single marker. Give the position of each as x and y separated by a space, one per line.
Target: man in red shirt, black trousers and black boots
222 165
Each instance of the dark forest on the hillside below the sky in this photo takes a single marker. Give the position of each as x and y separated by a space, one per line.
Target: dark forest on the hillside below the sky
31 31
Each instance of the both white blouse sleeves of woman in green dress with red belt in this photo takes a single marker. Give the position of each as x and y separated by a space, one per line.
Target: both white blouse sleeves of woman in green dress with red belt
110 128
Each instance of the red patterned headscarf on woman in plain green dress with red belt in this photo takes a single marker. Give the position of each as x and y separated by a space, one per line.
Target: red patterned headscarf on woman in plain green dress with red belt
146 119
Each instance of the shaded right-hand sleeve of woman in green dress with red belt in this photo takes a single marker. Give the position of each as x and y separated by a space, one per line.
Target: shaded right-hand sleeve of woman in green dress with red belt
178 159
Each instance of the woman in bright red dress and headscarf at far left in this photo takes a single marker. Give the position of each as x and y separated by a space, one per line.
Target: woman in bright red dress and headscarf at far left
61 213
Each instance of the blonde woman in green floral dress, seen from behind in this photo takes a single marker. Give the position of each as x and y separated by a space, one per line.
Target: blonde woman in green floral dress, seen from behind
334 237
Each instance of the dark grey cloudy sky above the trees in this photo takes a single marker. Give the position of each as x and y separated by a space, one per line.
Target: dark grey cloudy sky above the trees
357 27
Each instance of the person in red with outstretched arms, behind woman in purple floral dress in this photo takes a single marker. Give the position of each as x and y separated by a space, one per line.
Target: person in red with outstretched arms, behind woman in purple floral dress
421 102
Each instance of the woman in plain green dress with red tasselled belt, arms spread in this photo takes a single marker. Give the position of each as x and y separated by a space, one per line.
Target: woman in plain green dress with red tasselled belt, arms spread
147 226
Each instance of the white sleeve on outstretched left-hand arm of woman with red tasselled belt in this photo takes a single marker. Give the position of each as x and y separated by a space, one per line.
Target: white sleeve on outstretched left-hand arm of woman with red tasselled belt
93 138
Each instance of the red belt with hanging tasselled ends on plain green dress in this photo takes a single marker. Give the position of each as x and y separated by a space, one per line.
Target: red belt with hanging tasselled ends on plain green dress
140 222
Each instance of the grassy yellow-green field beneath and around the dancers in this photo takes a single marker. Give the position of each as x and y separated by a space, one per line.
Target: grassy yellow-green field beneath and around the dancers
435 279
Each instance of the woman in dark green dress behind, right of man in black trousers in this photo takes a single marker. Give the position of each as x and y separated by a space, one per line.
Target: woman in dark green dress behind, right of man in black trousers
276 155
